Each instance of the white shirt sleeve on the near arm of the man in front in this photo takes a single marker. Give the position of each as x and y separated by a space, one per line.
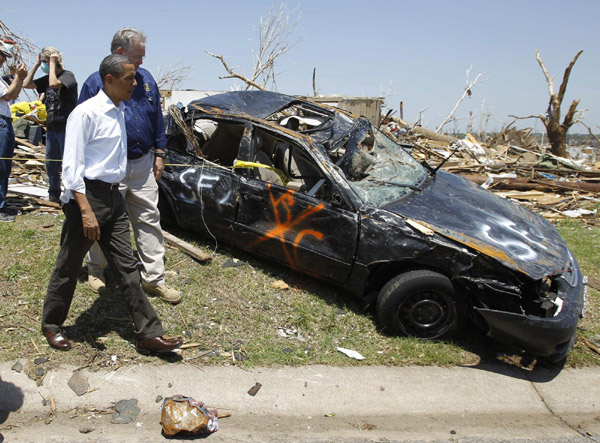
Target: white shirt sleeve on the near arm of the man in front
76 139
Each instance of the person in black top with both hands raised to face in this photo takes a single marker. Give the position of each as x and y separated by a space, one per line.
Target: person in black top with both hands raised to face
59 89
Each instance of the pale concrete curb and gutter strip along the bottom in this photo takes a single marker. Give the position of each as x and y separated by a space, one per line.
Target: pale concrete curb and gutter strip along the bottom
311 403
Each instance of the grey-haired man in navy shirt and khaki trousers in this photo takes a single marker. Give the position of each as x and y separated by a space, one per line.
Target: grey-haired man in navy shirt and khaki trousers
145 131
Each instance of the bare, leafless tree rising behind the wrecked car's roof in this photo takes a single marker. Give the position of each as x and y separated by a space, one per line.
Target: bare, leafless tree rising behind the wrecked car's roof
275 38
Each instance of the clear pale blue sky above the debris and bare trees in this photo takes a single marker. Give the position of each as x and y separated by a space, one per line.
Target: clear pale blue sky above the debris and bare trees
417 52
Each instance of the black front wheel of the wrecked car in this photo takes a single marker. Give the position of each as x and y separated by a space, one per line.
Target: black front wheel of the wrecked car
421 304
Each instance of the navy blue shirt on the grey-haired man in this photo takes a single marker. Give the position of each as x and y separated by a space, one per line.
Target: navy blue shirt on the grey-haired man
143 114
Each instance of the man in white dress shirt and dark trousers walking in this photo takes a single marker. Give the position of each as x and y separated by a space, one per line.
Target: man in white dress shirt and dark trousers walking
95 160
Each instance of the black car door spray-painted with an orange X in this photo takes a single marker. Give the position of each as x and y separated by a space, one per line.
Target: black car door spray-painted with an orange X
316 234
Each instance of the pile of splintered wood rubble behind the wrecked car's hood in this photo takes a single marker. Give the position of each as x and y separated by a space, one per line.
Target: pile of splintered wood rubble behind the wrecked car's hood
512 164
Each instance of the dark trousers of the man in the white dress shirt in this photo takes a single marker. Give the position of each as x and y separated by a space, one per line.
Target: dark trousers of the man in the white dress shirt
115 242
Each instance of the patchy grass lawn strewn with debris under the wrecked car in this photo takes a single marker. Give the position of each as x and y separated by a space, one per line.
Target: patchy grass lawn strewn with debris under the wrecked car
236 314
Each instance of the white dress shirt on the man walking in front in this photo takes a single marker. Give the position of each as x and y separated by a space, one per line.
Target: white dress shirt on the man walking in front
95 144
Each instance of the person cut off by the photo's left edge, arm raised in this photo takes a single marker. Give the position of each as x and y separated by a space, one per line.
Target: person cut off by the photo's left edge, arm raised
7 134
